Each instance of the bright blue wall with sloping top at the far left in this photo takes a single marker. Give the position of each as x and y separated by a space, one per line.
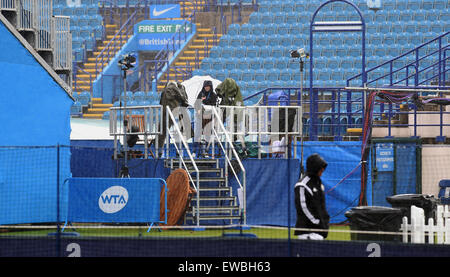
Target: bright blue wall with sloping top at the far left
35 116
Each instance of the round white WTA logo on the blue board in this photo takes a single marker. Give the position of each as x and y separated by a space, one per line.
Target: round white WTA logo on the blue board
113 199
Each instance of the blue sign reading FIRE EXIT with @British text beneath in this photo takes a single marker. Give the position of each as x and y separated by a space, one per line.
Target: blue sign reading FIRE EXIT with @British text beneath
154 35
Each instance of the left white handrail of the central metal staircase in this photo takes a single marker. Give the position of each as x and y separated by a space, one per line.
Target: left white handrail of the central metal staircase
181 148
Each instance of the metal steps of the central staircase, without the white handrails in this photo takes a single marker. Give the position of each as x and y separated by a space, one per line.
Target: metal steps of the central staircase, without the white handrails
217 201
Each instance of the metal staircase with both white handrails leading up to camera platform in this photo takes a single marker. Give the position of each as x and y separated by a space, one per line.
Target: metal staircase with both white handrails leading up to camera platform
215 199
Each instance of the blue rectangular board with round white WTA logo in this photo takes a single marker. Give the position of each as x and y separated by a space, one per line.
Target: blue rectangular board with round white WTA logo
115 200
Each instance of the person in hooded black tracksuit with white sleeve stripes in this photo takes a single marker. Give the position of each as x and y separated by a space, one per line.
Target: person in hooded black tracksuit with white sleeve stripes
310 201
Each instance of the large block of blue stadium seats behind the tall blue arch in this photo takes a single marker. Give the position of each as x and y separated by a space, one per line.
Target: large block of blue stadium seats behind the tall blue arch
280 26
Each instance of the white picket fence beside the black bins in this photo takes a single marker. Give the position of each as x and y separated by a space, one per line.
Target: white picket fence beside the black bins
417 230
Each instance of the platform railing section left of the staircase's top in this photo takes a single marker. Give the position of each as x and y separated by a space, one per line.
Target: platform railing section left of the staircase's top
147 119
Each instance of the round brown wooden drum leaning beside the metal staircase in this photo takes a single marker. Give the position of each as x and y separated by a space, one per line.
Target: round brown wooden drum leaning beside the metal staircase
178 197
